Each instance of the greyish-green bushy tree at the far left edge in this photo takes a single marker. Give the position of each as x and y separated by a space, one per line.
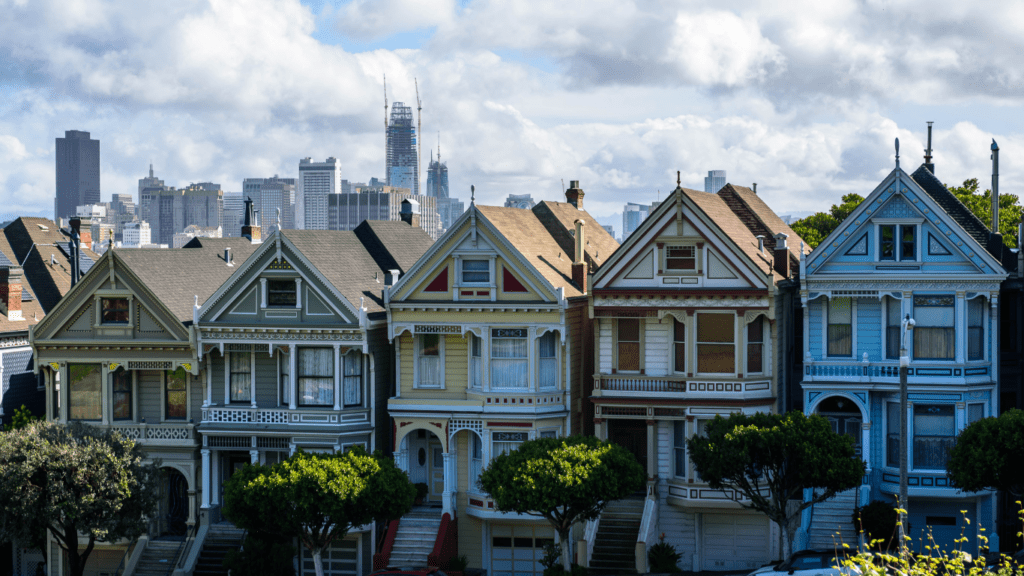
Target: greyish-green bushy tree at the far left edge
74 480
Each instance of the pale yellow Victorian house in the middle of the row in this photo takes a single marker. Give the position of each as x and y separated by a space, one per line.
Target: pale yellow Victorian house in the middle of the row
481 333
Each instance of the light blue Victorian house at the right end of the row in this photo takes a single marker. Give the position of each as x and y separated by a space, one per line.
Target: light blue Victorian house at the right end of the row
910 249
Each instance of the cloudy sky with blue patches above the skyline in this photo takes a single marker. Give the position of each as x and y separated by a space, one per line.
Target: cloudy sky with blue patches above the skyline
803 98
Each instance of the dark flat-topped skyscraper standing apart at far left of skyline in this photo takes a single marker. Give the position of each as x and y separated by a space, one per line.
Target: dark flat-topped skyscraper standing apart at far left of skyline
77 174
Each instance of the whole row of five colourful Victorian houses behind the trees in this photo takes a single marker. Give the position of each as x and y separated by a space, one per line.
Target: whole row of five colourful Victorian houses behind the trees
520 324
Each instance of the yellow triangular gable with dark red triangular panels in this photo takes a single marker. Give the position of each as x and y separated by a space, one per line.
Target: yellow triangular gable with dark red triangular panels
471 235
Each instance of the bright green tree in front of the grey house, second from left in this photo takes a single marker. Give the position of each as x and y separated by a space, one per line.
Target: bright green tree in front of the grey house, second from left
318 499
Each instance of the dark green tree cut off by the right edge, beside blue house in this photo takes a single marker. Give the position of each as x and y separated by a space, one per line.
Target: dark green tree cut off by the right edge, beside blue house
989 455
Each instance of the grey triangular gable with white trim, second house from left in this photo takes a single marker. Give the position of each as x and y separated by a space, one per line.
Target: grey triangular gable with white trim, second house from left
239 300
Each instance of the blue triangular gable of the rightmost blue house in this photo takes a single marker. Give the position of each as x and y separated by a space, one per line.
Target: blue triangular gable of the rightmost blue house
899 198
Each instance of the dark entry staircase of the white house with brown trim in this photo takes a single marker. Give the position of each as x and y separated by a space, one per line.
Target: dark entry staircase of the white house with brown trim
615 547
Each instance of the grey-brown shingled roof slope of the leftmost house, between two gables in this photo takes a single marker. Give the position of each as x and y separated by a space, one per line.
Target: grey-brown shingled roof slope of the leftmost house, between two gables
179 276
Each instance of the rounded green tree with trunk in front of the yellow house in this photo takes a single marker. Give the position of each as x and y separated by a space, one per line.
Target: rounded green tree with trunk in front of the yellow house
564 481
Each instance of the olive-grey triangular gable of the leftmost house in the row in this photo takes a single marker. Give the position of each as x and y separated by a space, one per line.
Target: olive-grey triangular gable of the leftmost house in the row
78 316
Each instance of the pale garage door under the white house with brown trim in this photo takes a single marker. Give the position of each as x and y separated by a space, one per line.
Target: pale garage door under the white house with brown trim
735 542
